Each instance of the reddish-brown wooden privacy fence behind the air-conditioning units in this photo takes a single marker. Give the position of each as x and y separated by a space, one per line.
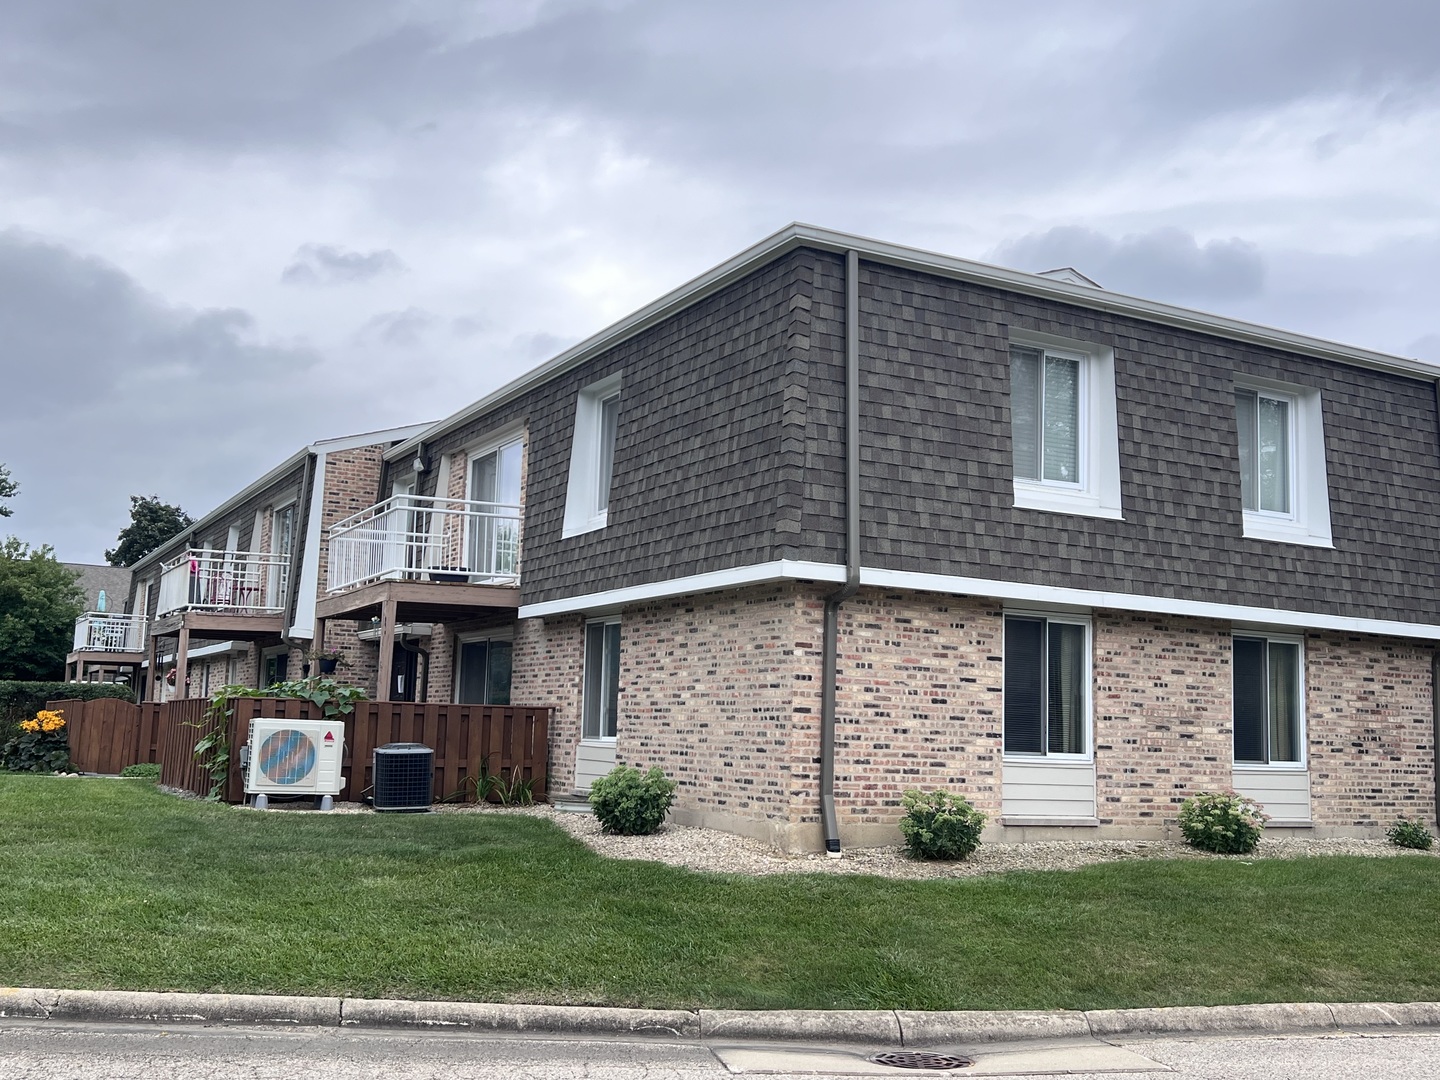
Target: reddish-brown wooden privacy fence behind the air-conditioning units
470 742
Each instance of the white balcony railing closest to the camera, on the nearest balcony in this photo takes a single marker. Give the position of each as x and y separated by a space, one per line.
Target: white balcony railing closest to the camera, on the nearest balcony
420 538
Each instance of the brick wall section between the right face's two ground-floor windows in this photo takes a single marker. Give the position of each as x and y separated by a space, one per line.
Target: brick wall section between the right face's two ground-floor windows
1163 715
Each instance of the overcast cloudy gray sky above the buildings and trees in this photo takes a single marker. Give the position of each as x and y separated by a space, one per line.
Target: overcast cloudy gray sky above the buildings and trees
231 230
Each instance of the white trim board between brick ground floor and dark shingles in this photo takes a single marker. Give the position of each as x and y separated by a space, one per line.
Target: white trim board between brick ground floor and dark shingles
784 570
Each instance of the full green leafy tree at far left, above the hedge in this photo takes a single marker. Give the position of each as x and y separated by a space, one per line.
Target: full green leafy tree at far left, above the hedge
40 603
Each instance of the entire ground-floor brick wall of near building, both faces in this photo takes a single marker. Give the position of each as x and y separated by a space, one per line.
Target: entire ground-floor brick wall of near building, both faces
722 692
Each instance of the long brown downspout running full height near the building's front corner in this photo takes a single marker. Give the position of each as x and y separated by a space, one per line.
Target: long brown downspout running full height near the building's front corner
830 656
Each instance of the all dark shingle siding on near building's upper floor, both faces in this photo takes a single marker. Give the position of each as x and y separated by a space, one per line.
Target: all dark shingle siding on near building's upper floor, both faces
731 453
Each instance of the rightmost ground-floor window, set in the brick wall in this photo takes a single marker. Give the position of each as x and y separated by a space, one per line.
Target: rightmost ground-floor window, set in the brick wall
1268 702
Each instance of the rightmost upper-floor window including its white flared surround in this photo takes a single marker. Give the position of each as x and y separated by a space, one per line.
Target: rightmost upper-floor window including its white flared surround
1284 486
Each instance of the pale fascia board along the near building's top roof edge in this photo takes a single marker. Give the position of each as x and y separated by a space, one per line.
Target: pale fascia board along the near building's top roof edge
798 235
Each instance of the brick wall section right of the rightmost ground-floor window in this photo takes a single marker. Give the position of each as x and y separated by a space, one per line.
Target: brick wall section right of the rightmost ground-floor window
1370 735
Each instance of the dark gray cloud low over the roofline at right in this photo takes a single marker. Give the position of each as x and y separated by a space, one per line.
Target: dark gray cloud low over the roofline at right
1166 264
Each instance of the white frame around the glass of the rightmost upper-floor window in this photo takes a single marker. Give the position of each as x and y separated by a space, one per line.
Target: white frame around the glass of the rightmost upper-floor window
1310 519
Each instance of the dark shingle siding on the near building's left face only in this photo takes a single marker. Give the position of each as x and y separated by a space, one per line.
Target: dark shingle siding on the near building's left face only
701 462
